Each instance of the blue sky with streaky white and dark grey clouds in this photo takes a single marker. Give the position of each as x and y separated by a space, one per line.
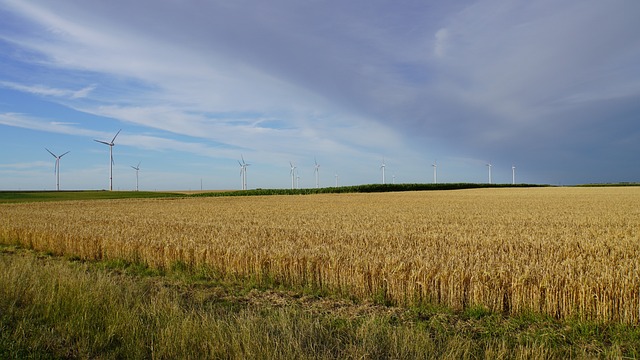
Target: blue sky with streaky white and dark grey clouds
549 87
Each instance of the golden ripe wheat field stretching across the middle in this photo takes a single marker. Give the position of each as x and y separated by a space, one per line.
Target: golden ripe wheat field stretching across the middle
565 252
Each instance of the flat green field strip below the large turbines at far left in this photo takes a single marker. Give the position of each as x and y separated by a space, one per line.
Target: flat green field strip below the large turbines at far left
31 196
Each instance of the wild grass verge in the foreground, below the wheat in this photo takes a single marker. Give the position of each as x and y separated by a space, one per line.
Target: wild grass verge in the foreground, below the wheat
51 307
